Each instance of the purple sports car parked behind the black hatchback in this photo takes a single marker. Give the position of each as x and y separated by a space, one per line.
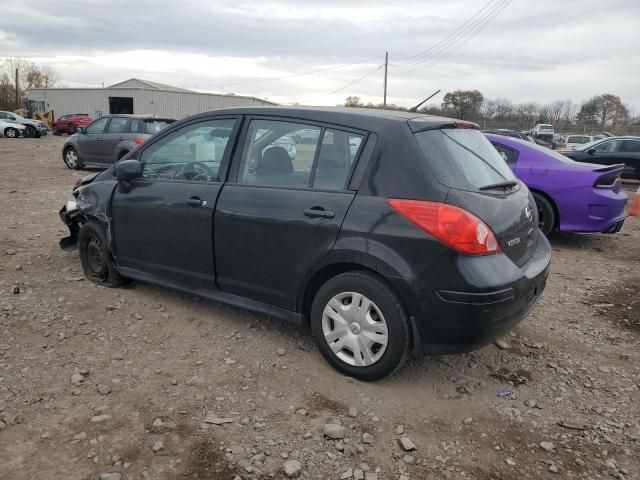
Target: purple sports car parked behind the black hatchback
581 197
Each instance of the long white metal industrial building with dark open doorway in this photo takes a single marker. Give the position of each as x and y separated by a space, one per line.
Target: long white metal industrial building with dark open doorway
134 96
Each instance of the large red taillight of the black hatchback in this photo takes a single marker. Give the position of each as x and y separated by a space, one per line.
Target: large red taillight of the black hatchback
453 226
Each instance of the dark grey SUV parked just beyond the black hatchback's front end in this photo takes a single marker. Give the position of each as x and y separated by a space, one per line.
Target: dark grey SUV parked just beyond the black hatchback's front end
109 138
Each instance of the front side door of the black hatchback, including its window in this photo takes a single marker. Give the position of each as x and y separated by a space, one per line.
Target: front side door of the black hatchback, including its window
163 222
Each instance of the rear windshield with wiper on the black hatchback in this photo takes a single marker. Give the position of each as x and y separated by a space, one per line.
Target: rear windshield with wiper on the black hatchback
463 158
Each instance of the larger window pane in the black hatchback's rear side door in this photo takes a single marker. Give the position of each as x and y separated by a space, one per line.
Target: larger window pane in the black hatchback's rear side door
273 157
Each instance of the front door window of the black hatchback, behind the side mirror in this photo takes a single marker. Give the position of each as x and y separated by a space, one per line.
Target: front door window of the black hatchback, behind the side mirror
192 153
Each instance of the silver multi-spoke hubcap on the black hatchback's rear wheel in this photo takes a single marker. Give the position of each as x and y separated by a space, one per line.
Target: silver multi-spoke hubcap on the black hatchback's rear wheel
355 329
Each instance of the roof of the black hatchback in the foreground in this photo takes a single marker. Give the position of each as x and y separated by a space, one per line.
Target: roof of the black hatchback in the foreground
365 118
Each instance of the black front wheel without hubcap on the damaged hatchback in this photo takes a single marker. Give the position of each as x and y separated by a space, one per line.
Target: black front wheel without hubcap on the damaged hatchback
95 257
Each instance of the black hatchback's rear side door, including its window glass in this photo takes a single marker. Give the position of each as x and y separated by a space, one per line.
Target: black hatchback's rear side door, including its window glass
281 210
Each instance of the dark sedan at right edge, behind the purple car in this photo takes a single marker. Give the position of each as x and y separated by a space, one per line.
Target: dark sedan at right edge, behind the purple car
612 151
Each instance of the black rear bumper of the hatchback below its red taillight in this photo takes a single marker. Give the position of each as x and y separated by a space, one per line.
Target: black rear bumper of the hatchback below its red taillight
492 296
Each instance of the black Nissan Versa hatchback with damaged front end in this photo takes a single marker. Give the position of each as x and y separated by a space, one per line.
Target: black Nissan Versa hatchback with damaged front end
388 233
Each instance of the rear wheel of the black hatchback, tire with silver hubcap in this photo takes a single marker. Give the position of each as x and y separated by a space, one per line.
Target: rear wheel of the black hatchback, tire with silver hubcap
360 326
